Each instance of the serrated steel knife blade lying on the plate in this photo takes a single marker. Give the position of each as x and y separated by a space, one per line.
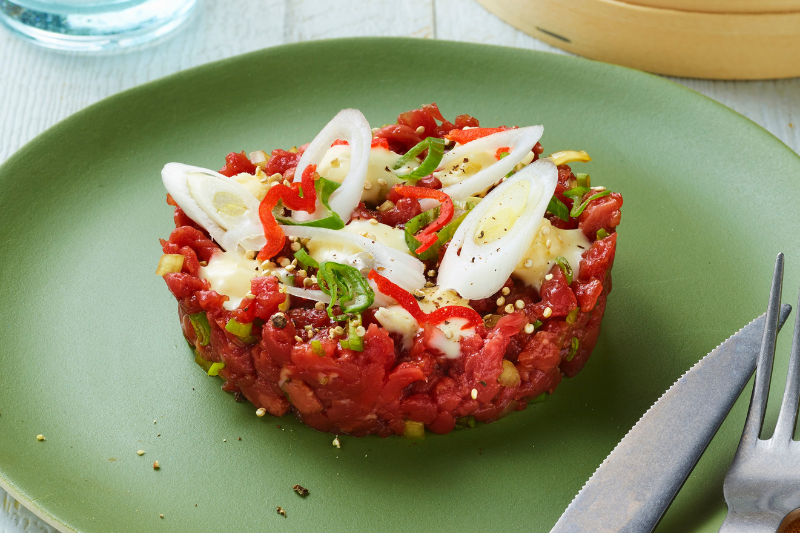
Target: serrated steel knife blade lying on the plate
632 488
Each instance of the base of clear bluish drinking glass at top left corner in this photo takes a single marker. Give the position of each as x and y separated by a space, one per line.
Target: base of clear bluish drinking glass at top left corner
94 25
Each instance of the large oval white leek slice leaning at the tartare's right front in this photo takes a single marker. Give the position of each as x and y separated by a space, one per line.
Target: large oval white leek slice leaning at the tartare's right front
477 271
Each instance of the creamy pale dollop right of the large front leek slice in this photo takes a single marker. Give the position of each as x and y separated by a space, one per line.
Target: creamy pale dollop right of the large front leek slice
569 244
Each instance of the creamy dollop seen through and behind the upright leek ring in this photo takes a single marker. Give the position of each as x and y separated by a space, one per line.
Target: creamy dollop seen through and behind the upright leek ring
335 165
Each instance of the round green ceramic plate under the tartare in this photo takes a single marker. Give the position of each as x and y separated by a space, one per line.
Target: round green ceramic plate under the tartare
92 355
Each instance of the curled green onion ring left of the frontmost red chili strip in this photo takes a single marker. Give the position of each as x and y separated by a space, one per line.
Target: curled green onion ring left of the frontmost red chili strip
344 284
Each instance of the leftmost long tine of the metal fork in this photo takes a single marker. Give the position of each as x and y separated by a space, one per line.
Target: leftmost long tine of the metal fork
758 402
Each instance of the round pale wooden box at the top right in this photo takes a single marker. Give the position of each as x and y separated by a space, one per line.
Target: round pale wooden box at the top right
760 39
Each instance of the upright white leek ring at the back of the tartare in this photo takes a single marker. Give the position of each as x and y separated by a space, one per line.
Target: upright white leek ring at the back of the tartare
349 125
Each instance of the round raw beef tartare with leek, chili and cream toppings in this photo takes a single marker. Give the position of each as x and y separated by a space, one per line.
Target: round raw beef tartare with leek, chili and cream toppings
350 343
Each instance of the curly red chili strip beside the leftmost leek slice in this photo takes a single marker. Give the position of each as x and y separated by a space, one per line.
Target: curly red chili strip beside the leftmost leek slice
290 194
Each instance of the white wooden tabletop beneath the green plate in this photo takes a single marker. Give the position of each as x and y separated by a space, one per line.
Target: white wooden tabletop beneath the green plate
38 87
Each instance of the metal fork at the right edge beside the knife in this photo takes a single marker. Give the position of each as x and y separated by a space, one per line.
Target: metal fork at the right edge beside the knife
762 486
